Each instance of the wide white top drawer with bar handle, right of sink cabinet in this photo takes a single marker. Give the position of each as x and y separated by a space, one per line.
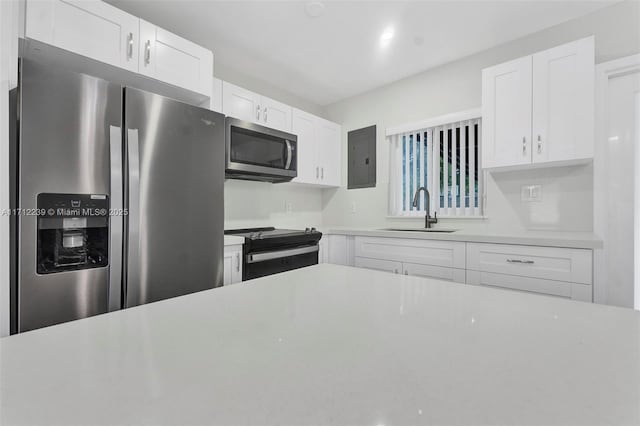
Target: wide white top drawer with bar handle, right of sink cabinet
549 263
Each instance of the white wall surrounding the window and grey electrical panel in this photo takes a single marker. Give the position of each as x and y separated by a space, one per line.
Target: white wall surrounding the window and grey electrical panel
567 192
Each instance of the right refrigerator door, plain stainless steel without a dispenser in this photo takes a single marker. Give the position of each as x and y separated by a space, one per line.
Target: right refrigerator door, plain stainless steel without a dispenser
175 198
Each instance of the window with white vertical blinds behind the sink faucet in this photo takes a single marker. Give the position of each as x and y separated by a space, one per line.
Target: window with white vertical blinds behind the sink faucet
446 161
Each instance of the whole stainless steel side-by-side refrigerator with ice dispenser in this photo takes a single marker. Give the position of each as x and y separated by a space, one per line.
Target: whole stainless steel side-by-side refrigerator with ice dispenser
117 197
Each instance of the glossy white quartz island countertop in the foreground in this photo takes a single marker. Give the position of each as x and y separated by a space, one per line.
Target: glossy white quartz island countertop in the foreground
331 345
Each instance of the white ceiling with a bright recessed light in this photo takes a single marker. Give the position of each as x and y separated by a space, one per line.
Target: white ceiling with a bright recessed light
339 54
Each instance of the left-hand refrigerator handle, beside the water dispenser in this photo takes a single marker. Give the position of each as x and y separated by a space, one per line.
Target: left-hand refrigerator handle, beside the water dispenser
115 219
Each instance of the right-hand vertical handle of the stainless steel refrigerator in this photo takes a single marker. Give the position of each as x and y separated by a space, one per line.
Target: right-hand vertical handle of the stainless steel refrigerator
133 285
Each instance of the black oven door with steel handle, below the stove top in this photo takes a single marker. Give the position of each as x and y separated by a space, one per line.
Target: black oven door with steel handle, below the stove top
272 262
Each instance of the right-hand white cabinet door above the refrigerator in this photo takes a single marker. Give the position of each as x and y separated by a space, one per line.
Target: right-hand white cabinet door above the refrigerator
174 60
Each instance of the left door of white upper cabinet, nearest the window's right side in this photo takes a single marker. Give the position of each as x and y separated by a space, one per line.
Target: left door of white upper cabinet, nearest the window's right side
506 114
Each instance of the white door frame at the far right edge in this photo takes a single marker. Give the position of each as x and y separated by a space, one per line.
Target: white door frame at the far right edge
604 72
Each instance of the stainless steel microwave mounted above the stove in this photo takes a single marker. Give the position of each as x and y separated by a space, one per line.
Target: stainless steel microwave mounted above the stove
256 152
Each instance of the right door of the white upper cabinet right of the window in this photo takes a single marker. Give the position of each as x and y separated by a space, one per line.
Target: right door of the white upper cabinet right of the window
563 102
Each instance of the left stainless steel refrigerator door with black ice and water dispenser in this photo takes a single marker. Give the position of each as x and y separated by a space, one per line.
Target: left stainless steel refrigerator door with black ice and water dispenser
66 124
